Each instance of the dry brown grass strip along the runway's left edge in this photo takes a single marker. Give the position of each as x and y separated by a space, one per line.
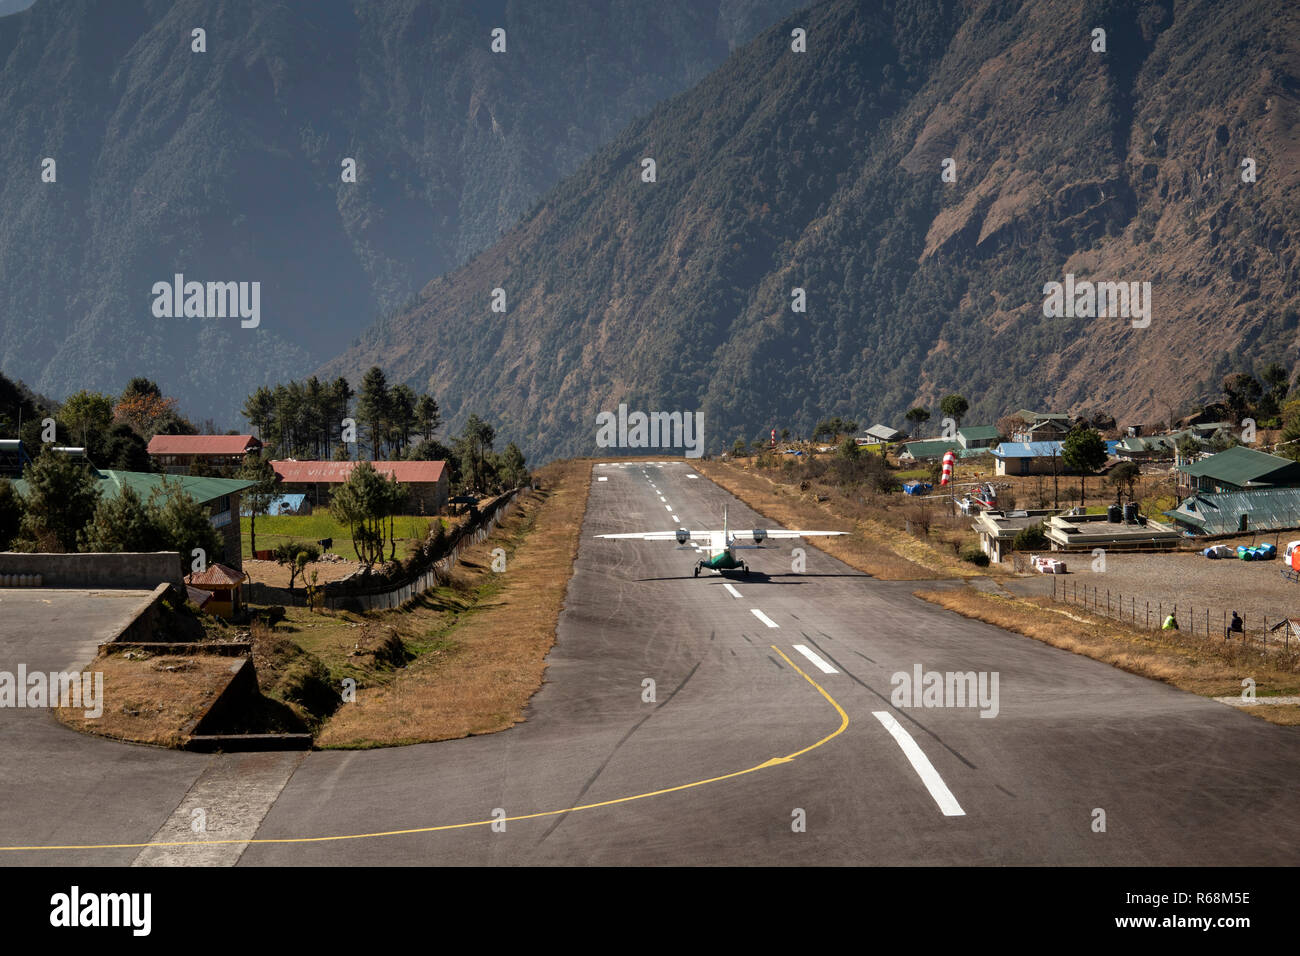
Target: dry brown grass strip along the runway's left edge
479 664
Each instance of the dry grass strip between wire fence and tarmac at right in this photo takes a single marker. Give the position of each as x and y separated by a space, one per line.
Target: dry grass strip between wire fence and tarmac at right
1202 667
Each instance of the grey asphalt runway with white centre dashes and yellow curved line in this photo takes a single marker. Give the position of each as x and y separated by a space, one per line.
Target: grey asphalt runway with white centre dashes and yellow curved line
772 739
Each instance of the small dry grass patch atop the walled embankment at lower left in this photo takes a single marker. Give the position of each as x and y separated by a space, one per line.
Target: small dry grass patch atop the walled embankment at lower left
151 700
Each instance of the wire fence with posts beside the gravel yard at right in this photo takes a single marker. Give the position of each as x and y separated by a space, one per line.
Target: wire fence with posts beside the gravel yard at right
1191 620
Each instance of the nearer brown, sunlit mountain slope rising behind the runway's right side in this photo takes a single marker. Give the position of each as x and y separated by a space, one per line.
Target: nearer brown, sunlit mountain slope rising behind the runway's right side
822 171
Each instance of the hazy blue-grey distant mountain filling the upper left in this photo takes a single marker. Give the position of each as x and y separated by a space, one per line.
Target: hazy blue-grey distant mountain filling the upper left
226 166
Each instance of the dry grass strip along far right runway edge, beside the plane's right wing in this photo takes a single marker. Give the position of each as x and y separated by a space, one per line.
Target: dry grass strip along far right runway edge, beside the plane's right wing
877 547
